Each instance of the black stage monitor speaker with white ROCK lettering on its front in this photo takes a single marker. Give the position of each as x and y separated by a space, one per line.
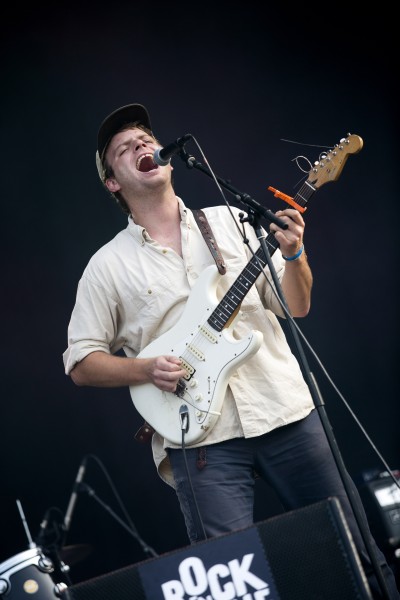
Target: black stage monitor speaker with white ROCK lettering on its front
306 554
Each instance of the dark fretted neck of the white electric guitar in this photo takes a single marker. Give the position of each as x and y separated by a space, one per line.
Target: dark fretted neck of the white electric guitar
238 290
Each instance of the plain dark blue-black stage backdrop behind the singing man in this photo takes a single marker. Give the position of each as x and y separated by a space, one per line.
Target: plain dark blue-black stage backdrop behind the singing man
241 81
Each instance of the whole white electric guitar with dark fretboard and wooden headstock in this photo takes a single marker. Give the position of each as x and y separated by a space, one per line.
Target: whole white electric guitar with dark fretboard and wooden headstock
203 337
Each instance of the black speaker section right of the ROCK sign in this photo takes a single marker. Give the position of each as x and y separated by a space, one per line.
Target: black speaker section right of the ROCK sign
312 555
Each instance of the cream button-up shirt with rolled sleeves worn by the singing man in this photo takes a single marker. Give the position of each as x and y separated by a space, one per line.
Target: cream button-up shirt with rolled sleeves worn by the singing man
133 290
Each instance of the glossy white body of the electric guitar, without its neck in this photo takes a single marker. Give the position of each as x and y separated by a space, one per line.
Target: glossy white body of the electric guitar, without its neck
211 358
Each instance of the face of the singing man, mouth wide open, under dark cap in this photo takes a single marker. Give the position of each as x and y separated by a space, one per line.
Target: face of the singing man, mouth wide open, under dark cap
130 155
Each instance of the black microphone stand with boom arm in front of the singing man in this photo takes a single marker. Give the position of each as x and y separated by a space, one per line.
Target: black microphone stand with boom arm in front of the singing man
256 211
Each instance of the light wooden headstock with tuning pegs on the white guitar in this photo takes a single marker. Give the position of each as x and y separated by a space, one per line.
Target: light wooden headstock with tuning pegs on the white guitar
330 164
